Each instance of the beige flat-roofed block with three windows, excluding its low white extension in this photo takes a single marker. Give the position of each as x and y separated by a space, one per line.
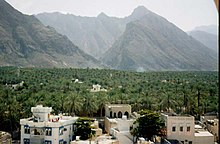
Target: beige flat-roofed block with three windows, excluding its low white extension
180 127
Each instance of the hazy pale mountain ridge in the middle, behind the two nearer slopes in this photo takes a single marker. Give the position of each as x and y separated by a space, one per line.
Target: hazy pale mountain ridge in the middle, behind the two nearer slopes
94 35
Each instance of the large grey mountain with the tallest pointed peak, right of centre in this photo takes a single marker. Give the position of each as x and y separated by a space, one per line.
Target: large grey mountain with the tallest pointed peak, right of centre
152 43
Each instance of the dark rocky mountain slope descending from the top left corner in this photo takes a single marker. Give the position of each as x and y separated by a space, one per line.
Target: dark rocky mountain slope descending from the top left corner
26 42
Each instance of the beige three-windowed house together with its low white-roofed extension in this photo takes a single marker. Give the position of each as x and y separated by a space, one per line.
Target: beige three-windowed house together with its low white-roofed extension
184 129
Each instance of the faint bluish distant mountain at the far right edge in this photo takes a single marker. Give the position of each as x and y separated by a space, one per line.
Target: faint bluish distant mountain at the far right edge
208 39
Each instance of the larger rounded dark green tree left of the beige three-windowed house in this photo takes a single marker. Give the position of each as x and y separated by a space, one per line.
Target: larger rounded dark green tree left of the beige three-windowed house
147 125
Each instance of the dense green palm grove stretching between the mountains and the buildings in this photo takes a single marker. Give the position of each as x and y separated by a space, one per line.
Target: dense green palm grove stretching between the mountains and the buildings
192 93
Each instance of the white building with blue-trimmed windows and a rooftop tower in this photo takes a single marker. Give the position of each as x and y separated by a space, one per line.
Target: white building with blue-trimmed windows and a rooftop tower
46 128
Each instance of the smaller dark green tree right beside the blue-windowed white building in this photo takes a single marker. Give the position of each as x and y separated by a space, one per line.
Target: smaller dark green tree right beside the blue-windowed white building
84 129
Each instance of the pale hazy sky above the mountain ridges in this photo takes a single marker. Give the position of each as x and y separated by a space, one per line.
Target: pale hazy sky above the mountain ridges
186 14
